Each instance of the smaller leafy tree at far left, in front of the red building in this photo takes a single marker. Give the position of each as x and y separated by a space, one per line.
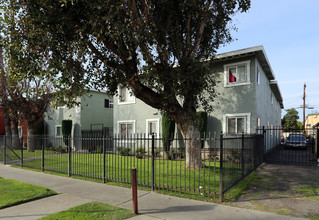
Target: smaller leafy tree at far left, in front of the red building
25 74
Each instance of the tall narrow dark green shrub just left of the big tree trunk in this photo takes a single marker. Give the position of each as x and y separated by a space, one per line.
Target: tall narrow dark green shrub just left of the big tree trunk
168 129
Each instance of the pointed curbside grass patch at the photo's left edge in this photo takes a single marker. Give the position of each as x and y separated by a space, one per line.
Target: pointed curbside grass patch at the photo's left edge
13 192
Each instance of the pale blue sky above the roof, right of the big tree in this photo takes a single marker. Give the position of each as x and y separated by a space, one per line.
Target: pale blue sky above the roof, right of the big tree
289 32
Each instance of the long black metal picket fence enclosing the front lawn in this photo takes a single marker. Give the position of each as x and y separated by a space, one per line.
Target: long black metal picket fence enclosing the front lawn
225 161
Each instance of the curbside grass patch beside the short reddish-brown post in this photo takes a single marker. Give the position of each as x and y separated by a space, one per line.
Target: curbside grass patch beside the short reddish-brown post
94 210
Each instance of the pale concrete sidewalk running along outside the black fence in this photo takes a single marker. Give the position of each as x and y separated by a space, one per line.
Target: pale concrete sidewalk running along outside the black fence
151 205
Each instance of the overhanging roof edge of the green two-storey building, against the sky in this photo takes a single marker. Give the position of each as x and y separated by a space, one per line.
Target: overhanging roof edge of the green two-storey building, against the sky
260 53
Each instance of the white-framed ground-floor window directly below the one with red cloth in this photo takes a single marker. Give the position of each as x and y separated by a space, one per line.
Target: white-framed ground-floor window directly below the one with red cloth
237 123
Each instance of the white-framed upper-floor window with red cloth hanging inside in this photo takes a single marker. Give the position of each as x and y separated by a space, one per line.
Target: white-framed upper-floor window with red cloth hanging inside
237 74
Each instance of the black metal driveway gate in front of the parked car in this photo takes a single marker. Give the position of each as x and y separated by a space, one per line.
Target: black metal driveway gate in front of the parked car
291 147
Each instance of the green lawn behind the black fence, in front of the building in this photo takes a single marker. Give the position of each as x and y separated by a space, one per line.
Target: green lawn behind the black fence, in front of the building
169 174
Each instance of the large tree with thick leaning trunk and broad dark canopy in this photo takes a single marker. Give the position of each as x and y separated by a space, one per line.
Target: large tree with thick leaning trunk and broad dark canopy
155 48
